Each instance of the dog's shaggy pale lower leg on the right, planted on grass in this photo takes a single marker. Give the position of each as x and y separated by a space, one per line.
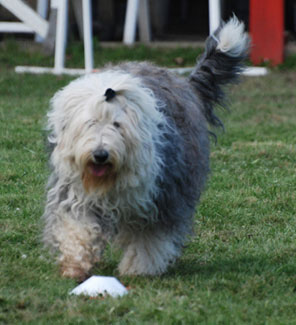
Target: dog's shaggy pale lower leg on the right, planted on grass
148 252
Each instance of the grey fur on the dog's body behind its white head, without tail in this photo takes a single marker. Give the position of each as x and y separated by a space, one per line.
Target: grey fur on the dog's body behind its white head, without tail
186 150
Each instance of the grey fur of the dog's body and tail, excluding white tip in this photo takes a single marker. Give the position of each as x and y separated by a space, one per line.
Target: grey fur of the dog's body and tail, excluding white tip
188 106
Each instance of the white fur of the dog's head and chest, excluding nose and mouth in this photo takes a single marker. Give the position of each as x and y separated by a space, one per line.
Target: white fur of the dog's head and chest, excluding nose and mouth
83 111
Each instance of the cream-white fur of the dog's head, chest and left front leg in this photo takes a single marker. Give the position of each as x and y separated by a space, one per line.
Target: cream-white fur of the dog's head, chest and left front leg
80 121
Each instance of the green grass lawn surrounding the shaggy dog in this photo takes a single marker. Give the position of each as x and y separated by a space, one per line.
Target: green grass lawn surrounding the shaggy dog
240 267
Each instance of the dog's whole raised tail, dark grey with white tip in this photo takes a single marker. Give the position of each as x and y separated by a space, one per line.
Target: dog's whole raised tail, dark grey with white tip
220 64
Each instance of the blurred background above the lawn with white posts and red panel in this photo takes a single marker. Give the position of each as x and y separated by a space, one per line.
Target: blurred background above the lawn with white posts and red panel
165 23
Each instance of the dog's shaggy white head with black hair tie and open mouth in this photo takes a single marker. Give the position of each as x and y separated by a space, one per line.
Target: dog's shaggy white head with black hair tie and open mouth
105 131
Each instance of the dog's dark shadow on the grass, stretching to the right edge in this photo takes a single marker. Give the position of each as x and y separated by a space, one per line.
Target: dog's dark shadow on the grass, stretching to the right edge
242 267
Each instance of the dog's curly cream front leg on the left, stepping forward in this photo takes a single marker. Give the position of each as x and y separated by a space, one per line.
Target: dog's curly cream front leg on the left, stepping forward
79 240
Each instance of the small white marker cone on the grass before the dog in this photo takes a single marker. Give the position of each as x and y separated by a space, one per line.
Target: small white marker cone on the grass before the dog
104 285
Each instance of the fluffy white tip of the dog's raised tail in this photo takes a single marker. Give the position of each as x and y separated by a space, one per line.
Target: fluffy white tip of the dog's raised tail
232 39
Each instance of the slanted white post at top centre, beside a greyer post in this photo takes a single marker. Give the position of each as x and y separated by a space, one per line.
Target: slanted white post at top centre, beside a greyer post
130 24
